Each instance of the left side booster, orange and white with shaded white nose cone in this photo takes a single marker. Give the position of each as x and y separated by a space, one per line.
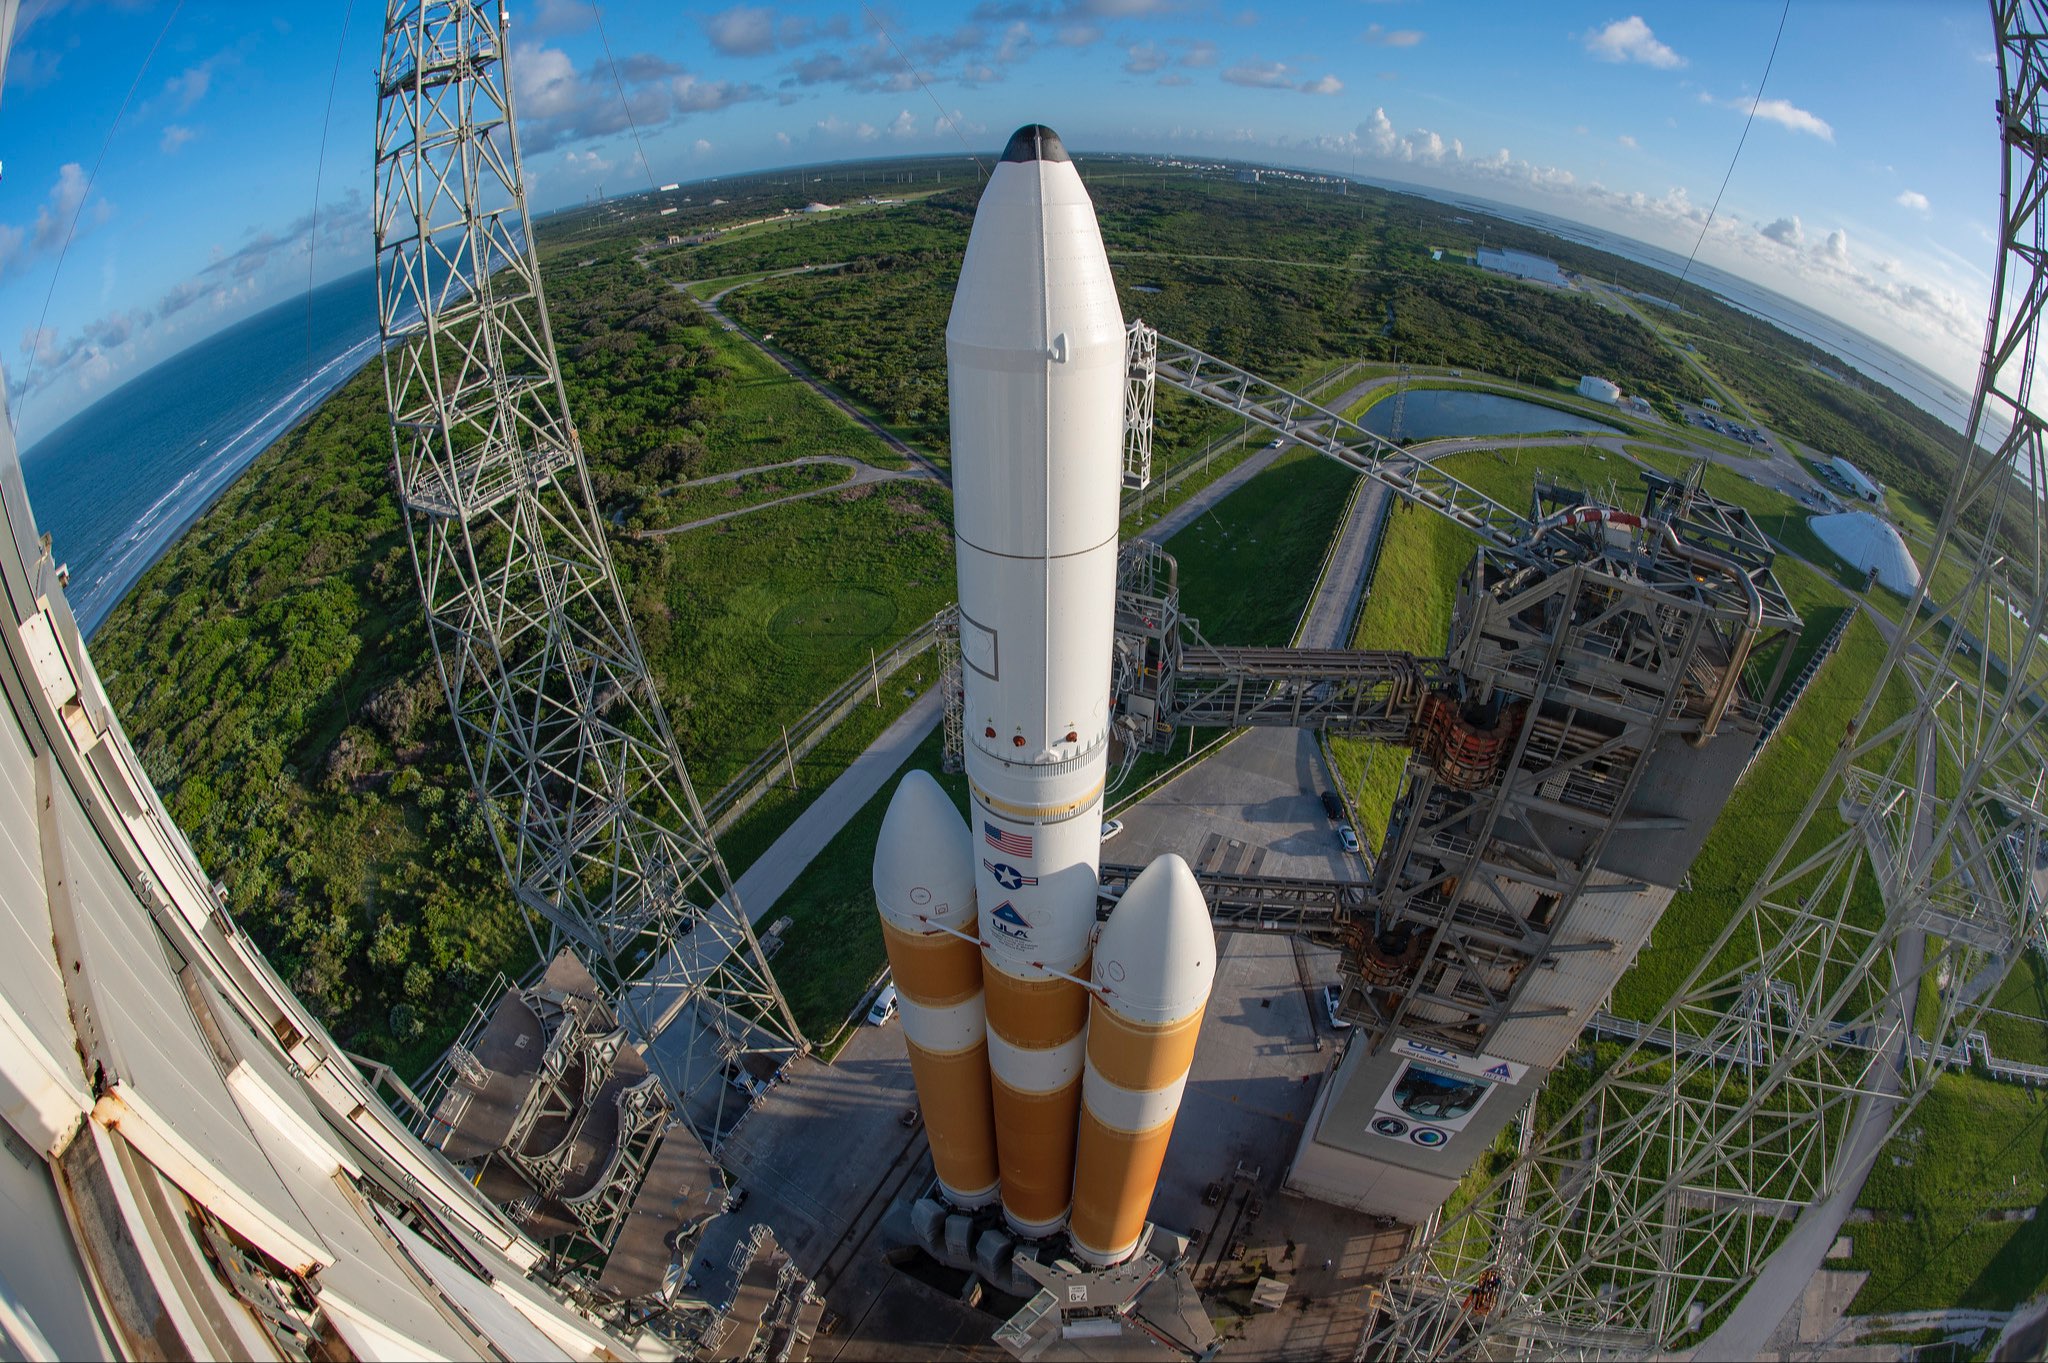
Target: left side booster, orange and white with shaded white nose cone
925 885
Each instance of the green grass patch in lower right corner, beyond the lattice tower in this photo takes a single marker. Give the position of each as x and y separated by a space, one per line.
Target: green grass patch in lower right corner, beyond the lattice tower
1961 1204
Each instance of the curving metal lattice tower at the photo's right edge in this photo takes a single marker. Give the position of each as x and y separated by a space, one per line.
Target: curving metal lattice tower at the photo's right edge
1641 1211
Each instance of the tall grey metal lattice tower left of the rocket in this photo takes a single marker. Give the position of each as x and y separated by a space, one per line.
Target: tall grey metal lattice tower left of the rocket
554 703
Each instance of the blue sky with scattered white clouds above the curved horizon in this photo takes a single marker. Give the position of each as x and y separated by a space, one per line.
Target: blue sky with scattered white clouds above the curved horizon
191 163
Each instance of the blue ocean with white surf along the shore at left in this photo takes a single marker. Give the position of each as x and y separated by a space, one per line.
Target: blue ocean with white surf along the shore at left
118 484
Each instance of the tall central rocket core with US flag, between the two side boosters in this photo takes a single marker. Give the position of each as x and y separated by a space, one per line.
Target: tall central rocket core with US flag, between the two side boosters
1035 353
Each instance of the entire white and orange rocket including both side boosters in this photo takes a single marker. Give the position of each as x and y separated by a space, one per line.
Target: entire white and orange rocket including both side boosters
1035 355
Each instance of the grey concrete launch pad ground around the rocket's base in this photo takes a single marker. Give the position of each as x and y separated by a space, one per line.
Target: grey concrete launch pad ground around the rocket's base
833 1168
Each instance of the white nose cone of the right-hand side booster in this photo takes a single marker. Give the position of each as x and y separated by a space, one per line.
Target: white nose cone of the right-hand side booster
1156 957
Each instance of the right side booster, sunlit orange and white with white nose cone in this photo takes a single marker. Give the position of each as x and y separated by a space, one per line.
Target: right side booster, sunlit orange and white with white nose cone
1156 963
